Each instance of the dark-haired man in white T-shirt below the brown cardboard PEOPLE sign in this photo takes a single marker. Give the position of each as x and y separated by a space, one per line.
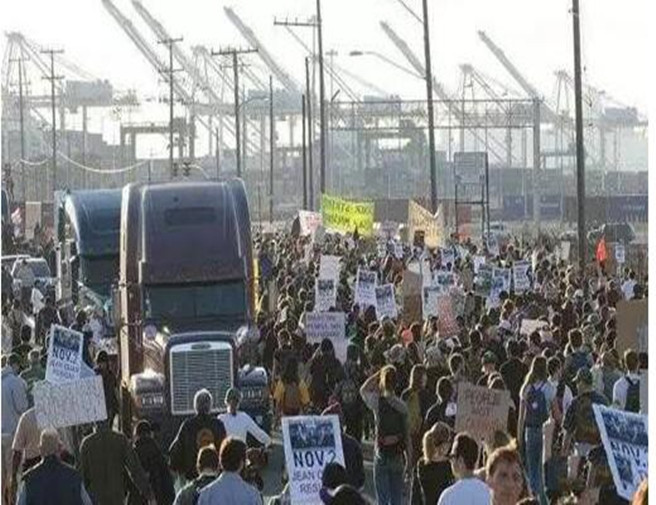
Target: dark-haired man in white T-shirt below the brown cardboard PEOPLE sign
468 489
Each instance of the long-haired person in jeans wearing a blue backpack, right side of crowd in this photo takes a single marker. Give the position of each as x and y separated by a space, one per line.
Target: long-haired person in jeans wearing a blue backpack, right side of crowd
536 399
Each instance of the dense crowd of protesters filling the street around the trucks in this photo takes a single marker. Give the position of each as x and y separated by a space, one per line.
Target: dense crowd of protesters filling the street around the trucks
396 392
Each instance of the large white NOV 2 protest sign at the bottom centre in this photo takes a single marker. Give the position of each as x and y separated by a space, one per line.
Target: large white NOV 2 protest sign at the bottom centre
310 443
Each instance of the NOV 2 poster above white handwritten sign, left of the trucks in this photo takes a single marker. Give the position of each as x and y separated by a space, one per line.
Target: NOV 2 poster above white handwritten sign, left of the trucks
64 355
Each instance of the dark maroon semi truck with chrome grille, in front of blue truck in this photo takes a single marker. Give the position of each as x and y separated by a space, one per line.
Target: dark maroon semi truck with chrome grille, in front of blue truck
186 302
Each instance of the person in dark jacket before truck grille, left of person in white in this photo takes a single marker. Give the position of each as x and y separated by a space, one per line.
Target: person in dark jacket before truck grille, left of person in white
194 433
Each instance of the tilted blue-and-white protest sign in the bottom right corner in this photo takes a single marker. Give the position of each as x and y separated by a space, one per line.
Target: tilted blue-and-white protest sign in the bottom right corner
625 439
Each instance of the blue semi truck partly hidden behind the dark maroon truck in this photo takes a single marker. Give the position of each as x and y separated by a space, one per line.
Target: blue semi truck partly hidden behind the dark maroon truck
87 240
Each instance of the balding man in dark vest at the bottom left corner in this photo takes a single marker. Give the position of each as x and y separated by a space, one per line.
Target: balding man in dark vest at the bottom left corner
52 482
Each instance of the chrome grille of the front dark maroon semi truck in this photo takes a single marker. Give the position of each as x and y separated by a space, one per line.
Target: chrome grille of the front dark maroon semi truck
197 366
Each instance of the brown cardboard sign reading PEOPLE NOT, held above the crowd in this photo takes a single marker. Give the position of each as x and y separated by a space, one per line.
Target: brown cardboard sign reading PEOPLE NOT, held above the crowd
481 411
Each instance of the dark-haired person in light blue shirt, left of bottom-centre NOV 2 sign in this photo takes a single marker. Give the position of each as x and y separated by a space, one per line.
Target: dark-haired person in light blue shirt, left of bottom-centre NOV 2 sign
229 488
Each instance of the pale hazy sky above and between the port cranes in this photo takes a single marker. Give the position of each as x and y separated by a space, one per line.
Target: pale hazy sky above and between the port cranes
535 34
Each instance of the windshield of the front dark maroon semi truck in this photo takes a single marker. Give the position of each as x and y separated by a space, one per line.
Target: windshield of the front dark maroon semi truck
172 302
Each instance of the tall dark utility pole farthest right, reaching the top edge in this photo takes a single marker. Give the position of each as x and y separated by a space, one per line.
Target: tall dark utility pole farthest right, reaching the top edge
580 150
